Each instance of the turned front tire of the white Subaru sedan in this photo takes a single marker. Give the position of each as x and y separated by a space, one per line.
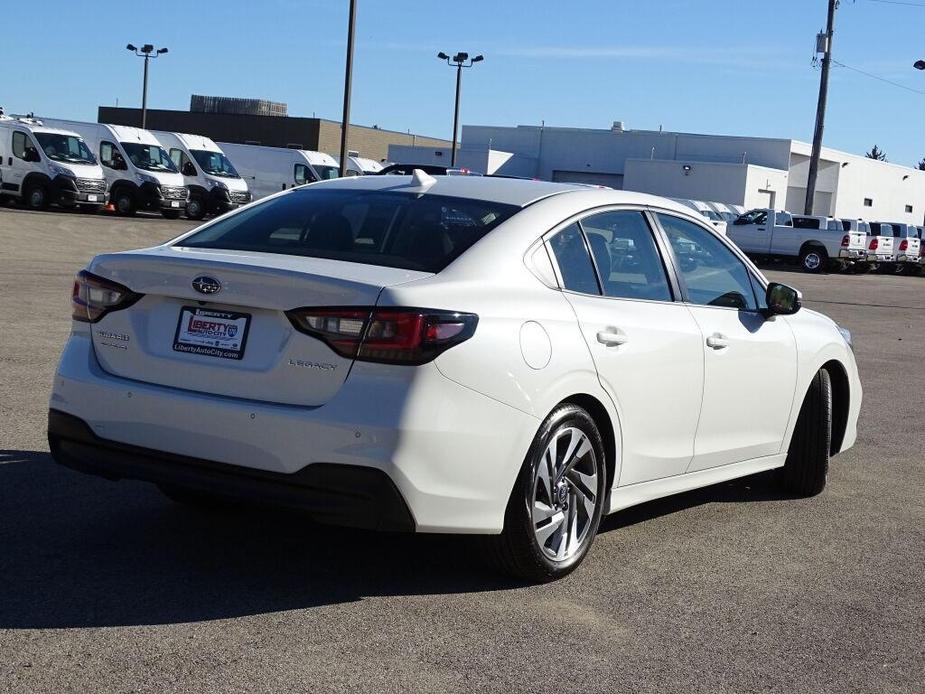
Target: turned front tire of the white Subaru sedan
804 474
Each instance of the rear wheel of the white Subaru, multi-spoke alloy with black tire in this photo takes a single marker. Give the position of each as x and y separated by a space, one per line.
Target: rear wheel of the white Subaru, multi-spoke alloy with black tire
564 462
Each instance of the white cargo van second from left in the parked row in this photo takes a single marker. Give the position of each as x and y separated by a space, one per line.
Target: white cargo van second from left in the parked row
138 170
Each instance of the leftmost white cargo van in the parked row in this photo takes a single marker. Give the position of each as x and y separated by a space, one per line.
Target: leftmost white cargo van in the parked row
42 165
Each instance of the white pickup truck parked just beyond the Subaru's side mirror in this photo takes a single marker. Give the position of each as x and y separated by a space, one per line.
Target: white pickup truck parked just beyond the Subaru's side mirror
771 234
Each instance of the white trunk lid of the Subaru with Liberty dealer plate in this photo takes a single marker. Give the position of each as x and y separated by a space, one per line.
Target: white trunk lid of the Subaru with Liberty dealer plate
237 341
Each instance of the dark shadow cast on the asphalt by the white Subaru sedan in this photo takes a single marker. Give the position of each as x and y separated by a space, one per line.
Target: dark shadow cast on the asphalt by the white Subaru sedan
77 551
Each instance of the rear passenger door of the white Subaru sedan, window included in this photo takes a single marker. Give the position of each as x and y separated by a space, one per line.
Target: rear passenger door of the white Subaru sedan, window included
645 345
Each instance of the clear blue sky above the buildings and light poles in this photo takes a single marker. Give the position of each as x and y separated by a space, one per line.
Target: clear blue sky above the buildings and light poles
713 66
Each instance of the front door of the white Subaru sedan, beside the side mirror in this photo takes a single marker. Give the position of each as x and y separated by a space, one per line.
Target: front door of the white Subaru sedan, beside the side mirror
750 361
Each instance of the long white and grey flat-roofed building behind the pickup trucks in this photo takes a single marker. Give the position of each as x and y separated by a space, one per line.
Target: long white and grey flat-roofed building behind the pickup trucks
748 171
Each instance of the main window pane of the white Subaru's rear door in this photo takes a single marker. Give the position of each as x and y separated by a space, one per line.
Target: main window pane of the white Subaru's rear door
627 259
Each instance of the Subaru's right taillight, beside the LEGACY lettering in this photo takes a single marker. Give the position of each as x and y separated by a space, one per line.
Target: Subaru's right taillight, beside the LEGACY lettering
388 335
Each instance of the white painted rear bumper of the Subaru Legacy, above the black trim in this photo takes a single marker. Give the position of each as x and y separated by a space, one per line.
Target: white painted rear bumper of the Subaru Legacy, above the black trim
452 453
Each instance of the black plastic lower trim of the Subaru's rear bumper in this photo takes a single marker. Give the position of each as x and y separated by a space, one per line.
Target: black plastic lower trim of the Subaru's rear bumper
347 495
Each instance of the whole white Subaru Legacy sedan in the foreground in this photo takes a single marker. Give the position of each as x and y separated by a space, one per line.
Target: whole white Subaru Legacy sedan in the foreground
504 357
